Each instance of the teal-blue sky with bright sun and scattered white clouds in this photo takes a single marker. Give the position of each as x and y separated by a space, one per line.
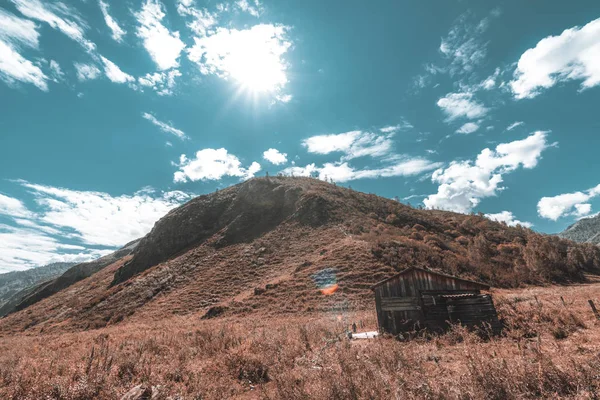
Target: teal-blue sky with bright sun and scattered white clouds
114 112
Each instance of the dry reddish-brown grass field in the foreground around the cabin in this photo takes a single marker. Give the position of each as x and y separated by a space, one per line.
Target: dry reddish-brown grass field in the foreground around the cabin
550 349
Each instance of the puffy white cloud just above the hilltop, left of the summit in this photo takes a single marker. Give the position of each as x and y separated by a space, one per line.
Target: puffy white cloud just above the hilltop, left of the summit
212 164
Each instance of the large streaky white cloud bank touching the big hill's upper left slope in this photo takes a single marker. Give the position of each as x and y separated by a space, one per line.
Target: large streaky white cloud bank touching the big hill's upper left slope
98 218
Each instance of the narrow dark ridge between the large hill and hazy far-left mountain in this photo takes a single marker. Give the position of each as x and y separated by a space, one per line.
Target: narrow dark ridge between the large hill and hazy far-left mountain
71 274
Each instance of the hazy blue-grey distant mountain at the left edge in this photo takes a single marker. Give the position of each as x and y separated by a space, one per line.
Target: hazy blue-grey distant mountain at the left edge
16 281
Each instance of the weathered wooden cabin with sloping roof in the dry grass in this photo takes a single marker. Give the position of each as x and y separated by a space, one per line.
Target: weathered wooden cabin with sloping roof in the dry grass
417 298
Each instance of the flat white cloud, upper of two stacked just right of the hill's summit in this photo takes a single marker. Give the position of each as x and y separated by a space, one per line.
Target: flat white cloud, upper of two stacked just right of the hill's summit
353 144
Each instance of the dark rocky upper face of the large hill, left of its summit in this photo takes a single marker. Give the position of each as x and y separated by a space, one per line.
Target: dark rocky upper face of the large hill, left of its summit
238 214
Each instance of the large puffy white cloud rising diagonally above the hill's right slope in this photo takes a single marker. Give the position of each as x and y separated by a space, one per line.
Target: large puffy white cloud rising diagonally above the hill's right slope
463 184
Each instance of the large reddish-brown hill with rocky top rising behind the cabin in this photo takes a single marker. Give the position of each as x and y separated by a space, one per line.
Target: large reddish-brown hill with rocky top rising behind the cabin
278 245
